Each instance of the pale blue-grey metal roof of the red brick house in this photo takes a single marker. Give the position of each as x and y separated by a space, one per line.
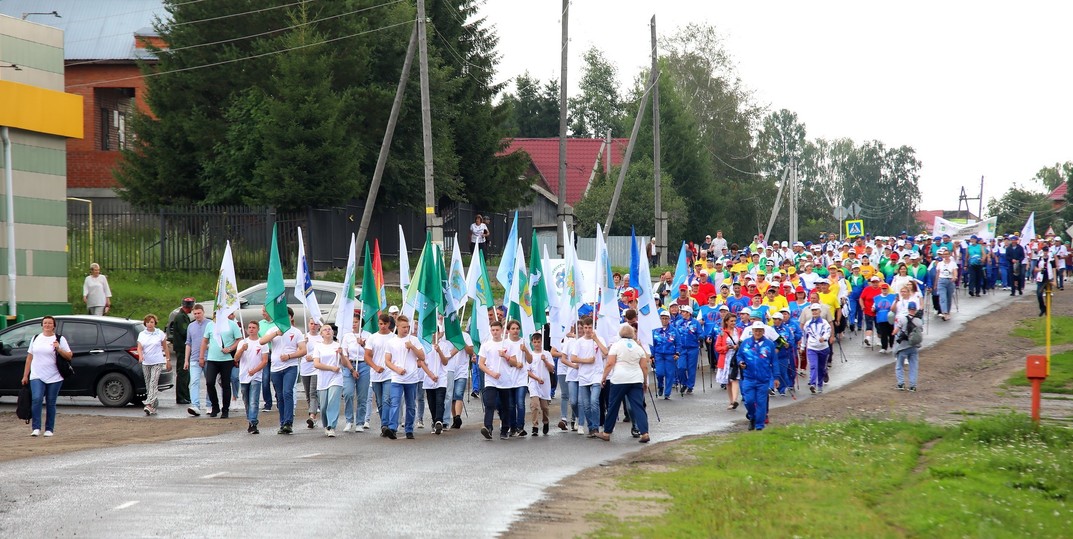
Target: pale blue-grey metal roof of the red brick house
94 30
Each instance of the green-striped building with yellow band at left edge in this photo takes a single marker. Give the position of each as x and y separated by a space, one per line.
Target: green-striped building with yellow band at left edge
38 123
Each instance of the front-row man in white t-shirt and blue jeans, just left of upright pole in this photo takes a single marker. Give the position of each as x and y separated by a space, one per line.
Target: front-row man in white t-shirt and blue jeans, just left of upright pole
406 360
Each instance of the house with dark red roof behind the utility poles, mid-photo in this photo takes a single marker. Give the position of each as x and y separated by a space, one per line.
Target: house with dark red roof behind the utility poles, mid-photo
584 159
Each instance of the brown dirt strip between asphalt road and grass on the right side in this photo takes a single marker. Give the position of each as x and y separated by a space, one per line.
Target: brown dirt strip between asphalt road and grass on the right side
963 375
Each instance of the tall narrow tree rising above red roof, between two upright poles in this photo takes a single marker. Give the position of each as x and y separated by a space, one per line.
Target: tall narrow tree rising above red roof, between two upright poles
599 108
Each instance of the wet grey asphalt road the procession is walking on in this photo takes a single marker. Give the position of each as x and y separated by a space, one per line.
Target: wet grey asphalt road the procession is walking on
455 485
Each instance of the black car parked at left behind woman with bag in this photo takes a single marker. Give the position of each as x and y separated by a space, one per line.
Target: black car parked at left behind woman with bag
106 358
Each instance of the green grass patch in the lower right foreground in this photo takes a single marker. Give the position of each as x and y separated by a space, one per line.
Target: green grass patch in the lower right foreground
993 477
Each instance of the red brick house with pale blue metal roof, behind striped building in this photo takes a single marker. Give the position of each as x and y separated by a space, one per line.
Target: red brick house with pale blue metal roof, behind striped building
104 43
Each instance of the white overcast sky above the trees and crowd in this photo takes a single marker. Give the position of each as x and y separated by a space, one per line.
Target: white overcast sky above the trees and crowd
977 89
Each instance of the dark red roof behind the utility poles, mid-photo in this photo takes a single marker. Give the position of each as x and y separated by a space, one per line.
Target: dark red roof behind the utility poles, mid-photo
582 156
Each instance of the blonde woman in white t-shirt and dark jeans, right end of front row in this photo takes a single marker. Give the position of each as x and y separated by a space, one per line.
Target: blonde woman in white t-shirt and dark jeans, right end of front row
626 368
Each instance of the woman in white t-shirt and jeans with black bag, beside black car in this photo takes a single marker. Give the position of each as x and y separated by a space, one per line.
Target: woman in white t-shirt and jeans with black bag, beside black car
42 375
